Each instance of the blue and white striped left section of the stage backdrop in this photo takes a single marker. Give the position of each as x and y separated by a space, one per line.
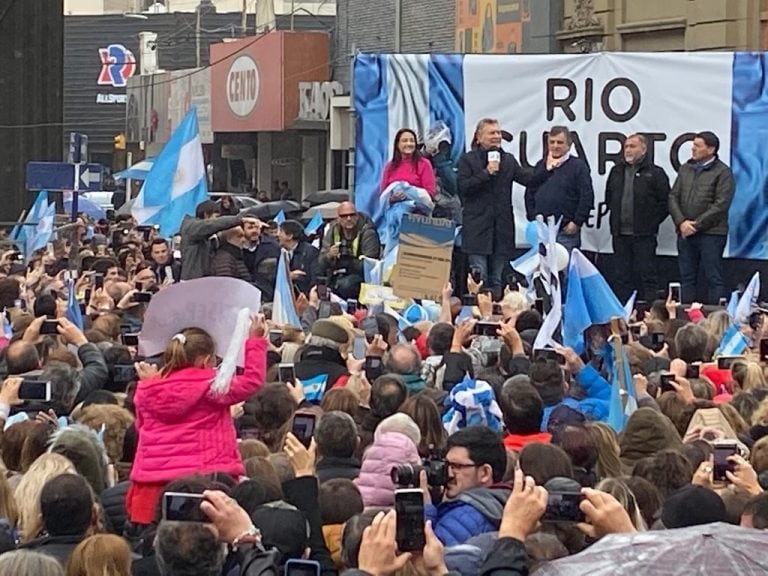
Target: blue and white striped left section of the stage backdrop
402 91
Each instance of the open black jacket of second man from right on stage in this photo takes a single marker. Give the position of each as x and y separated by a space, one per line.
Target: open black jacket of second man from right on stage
650 197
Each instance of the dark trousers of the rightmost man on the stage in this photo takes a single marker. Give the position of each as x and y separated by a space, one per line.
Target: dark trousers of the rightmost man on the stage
703 251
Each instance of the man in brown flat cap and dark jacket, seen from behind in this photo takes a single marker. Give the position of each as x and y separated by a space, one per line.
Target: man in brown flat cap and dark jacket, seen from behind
321 362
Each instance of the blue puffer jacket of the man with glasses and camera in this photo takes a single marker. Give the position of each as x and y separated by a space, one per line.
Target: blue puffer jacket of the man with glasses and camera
472 512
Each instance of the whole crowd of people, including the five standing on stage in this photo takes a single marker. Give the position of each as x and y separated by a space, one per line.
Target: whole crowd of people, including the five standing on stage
307 459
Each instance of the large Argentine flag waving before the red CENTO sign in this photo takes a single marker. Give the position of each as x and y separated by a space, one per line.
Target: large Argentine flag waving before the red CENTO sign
177 182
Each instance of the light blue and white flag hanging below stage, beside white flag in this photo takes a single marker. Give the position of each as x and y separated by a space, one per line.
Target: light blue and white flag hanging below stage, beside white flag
589 300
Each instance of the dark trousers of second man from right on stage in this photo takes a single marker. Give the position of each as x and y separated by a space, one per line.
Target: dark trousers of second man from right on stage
634 260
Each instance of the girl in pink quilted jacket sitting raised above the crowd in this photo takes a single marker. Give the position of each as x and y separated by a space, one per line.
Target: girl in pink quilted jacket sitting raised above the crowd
184 426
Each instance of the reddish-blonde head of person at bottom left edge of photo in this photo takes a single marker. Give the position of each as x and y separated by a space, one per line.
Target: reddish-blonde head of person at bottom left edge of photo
100 555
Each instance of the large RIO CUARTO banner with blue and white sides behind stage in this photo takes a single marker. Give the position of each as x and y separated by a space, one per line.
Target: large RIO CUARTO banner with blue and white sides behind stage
602 98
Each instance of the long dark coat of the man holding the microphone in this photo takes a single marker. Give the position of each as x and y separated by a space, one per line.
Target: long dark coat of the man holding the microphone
489 224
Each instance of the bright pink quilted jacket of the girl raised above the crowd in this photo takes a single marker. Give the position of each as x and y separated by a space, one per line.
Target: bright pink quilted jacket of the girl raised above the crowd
183 429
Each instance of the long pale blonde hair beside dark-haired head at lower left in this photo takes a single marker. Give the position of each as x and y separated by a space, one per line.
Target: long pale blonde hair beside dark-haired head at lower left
27 494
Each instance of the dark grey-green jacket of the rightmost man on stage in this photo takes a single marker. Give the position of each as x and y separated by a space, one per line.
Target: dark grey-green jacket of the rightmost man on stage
703 195
